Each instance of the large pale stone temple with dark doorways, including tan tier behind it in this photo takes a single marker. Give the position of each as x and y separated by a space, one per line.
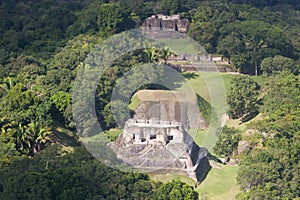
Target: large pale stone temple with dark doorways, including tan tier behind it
156 138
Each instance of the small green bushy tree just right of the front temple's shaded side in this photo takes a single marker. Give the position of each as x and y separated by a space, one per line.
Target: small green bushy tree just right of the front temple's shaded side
227 142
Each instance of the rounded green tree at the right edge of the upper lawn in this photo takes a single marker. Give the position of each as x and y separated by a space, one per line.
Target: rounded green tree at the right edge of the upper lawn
243 98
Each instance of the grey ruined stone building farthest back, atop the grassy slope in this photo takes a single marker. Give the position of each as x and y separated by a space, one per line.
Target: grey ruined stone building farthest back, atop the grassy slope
166 23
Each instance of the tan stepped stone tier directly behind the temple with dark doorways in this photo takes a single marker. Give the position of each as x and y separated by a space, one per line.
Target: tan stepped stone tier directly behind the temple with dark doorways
159 106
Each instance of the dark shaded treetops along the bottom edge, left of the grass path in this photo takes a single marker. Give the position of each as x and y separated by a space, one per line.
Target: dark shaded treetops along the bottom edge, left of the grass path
86 178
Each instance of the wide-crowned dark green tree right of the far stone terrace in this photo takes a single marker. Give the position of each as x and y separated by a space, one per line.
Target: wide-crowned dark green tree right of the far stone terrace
260 40
